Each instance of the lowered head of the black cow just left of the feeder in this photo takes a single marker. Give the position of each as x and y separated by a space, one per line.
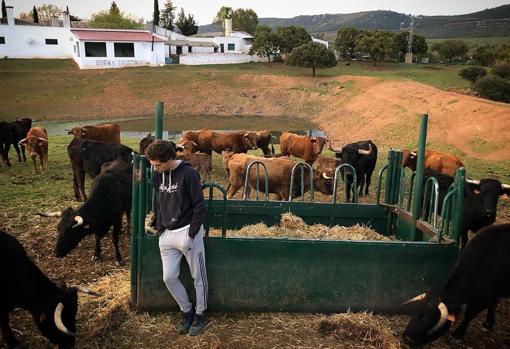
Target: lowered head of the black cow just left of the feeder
71 230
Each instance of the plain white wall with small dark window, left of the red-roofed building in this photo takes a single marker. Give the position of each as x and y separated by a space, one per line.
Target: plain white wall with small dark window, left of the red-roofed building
27 41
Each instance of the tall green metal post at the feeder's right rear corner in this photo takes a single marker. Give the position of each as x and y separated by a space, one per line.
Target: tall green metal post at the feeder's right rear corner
418 182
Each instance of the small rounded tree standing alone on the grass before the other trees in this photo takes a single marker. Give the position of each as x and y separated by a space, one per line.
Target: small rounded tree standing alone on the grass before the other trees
312 55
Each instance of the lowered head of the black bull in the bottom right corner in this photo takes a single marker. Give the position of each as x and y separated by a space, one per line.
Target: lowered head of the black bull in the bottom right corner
430 320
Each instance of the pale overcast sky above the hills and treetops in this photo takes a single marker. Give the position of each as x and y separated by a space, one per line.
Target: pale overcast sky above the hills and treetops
205 10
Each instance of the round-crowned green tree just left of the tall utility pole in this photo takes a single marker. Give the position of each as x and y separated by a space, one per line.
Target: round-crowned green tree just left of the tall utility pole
377 44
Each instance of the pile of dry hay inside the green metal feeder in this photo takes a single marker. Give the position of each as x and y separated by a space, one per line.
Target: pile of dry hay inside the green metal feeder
292 226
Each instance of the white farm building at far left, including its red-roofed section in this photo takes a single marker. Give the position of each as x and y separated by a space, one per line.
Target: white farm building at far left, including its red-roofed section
90 48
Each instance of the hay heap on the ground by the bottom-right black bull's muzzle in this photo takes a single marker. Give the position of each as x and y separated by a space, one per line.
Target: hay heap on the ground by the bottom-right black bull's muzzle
360 328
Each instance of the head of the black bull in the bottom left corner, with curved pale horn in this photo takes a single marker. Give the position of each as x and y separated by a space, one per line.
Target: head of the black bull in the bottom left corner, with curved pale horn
57 318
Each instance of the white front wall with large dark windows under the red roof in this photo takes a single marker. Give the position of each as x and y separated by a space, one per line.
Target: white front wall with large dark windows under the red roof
143 56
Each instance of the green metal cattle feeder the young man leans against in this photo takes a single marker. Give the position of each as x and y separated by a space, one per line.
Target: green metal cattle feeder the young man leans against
273 274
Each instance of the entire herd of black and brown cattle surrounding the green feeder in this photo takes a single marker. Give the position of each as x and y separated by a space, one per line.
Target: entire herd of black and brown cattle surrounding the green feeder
480 278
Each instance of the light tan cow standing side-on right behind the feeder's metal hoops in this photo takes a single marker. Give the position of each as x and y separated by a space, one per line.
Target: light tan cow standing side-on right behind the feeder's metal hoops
279 171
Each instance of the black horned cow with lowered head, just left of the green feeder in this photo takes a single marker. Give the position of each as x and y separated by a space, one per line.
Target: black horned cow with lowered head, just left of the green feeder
109 200
